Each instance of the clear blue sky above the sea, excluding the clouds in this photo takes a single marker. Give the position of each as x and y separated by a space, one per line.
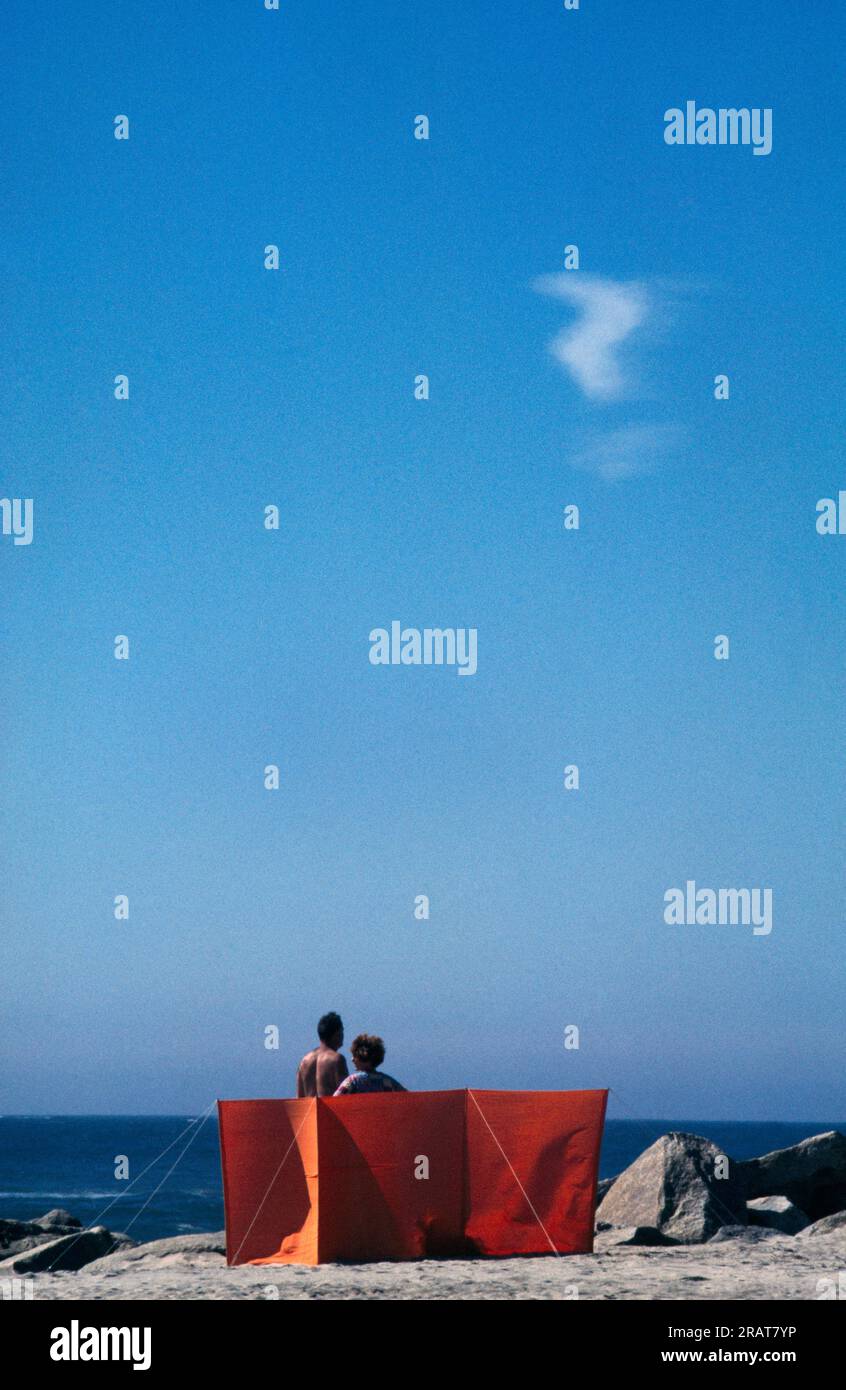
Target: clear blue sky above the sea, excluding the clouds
251 387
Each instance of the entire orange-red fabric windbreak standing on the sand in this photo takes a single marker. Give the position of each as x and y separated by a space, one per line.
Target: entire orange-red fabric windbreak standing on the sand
319 1181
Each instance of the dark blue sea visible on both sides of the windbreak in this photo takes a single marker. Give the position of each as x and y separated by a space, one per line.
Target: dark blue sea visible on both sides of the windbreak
70 1161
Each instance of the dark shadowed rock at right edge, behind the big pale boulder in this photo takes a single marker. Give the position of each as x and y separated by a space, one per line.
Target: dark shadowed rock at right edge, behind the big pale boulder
813 1175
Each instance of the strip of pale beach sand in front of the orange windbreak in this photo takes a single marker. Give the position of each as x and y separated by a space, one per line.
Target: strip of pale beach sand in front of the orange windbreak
780 1267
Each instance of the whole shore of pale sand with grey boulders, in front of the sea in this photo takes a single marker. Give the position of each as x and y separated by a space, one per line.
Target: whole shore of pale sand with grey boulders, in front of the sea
666 1229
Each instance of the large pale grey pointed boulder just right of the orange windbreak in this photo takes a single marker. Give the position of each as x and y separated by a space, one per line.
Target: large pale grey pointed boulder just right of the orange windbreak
673 1189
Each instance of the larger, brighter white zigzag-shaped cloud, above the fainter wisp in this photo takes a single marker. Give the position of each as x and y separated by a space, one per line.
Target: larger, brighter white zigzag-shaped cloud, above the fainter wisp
611 312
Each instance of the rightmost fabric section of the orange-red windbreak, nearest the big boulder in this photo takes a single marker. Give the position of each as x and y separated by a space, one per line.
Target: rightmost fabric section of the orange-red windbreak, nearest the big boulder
533 1164
